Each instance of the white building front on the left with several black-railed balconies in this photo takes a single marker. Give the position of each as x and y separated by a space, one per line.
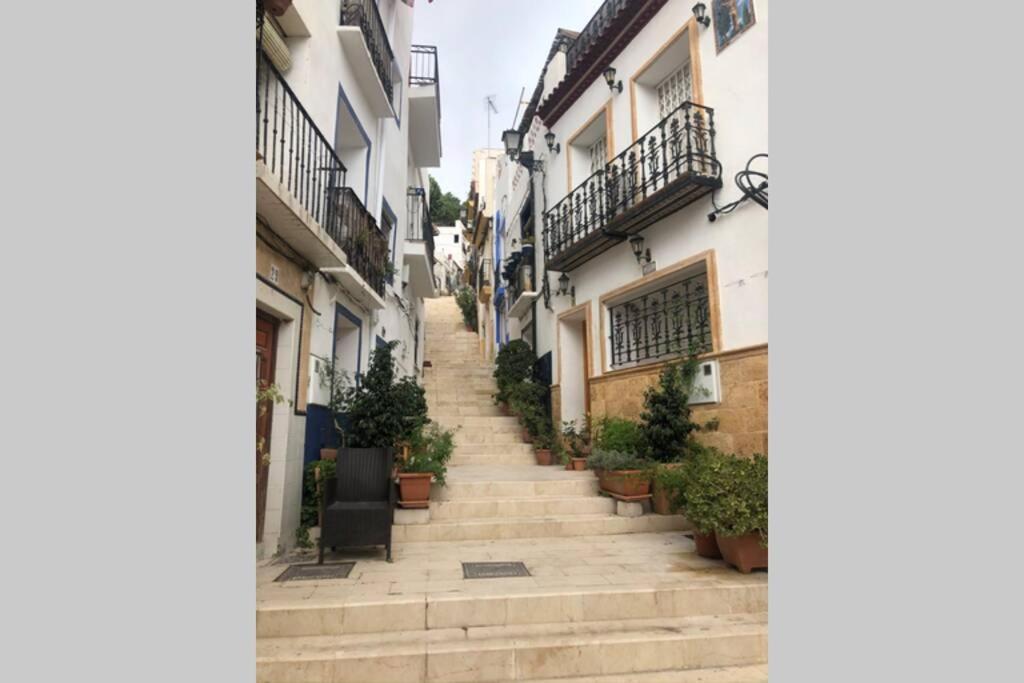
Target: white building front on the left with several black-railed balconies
349 120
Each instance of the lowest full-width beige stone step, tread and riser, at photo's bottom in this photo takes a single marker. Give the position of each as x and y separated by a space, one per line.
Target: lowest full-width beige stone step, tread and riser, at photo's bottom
519 654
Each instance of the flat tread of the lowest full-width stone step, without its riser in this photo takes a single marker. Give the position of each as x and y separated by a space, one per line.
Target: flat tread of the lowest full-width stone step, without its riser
568 634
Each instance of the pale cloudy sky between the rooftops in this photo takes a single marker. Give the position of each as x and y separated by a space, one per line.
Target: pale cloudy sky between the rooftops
488 48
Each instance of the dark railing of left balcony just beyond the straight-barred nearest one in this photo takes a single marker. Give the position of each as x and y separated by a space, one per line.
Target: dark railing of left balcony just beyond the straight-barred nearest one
360 236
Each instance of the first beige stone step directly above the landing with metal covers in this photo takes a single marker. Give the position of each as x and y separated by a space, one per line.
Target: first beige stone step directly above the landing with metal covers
537 528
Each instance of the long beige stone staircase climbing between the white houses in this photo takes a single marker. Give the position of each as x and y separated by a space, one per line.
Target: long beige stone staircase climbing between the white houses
610 600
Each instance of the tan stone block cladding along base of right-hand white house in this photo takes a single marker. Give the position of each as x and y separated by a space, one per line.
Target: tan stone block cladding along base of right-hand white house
743 414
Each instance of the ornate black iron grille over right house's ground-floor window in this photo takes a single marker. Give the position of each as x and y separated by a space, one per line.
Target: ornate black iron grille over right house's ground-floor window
672 321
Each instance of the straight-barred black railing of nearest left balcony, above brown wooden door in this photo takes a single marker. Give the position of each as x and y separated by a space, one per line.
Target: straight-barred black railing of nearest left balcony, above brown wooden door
292 147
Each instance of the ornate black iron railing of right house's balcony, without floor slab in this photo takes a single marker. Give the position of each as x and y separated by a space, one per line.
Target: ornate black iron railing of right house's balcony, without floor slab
678 148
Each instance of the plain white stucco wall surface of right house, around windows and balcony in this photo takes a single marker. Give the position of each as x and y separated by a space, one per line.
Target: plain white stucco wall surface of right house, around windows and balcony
736 86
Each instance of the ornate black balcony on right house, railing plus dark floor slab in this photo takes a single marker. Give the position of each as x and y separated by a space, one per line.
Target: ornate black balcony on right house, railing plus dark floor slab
670 166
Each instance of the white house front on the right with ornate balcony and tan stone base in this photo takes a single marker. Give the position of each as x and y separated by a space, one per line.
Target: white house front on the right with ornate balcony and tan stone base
618 209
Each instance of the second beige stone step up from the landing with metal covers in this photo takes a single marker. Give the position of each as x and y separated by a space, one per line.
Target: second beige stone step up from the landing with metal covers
538 506
